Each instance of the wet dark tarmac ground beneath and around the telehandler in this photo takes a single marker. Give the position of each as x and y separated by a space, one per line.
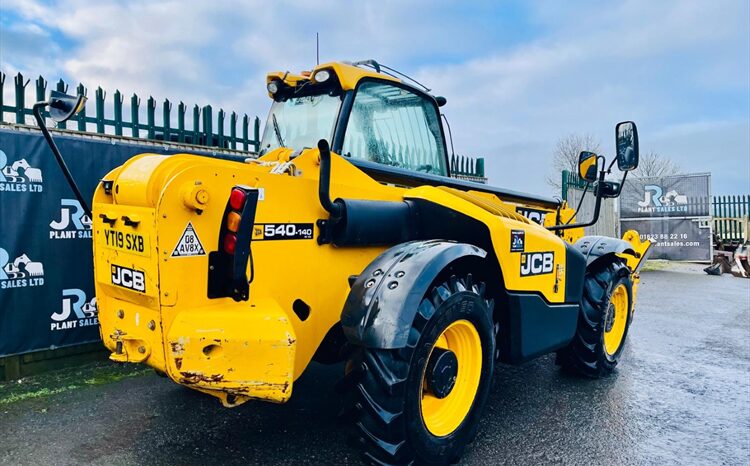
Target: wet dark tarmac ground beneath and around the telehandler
681 395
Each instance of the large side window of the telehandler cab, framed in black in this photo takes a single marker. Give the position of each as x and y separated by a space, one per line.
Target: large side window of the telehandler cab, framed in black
393 126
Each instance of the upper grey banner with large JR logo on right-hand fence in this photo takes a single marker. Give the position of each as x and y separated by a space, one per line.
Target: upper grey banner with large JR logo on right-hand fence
668 196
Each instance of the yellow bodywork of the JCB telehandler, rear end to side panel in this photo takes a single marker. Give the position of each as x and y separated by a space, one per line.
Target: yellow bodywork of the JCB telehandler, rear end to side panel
256 348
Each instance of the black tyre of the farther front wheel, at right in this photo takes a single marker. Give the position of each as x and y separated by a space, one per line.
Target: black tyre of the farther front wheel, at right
587 354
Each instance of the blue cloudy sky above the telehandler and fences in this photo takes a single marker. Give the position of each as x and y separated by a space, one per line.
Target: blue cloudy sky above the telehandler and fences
518 75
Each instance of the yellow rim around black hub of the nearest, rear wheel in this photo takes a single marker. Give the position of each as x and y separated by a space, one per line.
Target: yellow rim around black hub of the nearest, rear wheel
442 416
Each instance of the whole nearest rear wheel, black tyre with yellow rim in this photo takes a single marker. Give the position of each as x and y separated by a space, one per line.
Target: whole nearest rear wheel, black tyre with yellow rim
422 403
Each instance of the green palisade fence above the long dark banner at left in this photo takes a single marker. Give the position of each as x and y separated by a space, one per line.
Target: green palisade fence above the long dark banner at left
202 133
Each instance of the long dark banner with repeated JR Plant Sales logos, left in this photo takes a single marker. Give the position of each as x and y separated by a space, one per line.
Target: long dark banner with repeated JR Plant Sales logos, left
46 264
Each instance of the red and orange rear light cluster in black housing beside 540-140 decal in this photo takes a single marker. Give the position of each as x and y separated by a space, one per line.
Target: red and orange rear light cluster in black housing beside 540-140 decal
227 272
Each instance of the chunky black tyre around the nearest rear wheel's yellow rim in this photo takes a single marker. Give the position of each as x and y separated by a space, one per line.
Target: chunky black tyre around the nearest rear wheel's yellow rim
384 387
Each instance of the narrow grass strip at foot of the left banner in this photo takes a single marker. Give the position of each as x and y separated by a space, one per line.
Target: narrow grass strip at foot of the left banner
64 380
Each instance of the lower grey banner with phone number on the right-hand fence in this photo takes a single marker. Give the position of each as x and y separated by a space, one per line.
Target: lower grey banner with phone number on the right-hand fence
674 238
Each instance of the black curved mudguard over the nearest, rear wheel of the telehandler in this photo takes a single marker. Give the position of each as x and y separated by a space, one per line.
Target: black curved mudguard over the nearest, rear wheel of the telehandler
384 298
